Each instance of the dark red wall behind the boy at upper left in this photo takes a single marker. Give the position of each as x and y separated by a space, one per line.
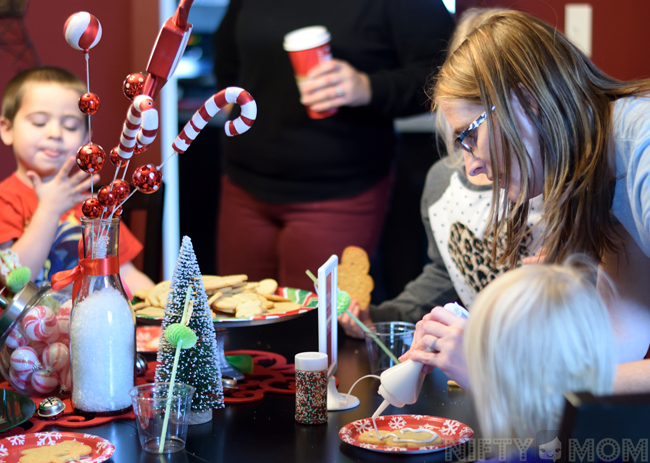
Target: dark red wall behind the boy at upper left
129 29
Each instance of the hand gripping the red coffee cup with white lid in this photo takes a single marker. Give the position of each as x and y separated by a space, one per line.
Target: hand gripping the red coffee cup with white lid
333 84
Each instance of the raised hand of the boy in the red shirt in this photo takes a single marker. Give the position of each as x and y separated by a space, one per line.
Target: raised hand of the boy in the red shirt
63 192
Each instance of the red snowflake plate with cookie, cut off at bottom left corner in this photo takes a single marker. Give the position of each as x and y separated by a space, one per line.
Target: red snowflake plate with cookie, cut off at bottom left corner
45 447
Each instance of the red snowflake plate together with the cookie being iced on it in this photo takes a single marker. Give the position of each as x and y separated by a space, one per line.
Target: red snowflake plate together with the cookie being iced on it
406 434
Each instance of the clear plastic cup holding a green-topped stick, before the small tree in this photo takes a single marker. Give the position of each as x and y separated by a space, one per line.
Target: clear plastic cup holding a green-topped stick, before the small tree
149 404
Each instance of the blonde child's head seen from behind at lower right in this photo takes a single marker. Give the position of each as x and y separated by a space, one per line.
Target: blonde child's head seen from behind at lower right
536 333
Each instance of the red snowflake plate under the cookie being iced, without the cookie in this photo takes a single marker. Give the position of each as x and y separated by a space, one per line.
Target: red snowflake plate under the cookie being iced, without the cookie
452 432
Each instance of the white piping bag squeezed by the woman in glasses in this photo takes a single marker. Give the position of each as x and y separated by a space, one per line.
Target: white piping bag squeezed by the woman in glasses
401 384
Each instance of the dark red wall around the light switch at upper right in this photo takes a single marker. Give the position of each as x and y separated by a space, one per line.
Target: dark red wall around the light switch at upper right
619 43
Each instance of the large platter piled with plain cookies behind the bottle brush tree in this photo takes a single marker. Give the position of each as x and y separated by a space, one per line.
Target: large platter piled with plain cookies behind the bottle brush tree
233 300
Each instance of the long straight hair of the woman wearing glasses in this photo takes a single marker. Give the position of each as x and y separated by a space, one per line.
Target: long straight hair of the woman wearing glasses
567 99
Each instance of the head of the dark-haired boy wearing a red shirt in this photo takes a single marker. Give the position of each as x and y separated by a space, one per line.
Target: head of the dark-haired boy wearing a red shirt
41 121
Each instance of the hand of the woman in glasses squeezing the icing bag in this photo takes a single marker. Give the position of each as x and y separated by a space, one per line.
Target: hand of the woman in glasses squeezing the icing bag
441 331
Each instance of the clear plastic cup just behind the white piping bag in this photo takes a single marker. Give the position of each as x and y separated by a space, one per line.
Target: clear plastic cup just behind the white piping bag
396 336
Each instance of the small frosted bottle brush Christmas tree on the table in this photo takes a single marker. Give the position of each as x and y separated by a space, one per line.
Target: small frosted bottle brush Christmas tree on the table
198 366
